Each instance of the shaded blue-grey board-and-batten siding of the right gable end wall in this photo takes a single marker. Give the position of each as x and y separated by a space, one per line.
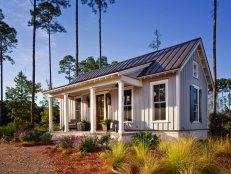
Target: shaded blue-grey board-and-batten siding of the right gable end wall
187 79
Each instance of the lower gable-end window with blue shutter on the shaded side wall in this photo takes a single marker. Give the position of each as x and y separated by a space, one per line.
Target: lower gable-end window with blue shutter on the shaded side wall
195 97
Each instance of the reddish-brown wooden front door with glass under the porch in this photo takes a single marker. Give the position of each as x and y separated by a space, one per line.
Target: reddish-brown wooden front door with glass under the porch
99 111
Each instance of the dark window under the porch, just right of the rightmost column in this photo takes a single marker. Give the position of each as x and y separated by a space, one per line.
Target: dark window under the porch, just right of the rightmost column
128 105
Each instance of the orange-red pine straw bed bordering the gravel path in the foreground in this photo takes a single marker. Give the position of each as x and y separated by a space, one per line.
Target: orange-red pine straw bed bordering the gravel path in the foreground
71 161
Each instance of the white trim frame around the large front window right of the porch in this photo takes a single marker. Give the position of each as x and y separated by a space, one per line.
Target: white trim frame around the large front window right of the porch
151 100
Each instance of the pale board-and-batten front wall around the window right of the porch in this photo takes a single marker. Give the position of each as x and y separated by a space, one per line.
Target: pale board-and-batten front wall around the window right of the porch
142 106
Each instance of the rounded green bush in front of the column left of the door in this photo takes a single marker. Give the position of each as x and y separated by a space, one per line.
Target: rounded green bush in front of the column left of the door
88 144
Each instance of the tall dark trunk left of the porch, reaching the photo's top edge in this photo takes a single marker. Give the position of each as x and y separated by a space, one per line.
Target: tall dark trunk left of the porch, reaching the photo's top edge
33 68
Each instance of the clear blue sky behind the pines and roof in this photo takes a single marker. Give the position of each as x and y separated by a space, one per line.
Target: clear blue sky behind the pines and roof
127 30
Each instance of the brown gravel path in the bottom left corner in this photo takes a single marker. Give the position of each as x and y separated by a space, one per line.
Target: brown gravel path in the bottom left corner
23 160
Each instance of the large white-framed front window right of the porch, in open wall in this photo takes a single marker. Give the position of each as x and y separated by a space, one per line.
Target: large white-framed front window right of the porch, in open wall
159 100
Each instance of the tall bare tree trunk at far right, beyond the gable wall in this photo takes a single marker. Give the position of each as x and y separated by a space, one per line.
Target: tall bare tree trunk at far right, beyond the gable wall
214 58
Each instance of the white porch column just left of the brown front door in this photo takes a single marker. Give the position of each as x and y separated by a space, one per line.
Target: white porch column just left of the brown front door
92 110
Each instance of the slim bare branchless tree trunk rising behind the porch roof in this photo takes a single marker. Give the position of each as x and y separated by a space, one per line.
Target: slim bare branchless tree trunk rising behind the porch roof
77 38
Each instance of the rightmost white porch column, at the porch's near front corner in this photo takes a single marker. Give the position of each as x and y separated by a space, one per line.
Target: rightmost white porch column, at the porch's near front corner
121 106
